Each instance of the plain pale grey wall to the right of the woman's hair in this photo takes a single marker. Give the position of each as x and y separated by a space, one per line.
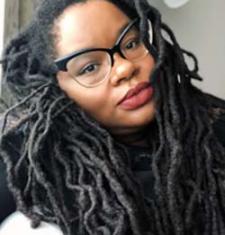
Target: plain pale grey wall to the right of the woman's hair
199 27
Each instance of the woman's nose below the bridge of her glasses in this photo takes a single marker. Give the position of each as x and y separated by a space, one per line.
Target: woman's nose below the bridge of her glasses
122 70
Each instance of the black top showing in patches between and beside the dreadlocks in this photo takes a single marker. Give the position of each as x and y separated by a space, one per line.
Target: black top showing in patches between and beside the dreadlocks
140 162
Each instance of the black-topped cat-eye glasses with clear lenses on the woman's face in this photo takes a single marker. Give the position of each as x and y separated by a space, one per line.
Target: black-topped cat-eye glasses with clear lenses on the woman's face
90 67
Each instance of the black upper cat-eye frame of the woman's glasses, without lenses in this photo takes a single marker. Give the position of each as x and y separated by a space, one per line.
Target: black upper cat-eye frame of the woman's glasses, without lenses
62 62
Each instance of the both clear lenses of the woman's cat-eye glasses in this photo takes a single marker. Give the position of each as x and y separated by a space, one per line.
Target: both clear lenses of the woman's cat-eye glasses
91 68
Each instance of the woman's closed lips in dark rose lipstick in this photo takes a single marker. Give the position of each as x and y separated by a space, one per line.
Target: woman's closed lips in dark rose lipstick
137 96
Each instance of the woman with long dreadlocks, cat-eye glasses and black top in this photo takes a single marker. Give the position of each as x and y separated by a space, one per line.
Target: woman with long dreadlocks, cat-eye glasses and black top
114 138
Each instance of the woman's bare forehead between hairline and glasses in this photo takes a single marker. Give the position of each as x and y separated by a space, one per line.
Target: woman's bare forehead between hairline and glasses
95 23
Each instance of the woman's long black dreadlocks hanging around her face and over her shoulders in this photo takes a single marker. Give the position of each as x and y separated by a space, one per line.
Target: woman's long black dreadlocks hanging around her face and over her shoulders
68 170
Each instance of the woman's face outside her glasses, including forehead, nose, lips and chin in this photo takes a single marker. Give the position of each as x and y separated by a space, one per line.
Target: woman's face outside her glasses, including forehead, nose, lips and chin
98 24
